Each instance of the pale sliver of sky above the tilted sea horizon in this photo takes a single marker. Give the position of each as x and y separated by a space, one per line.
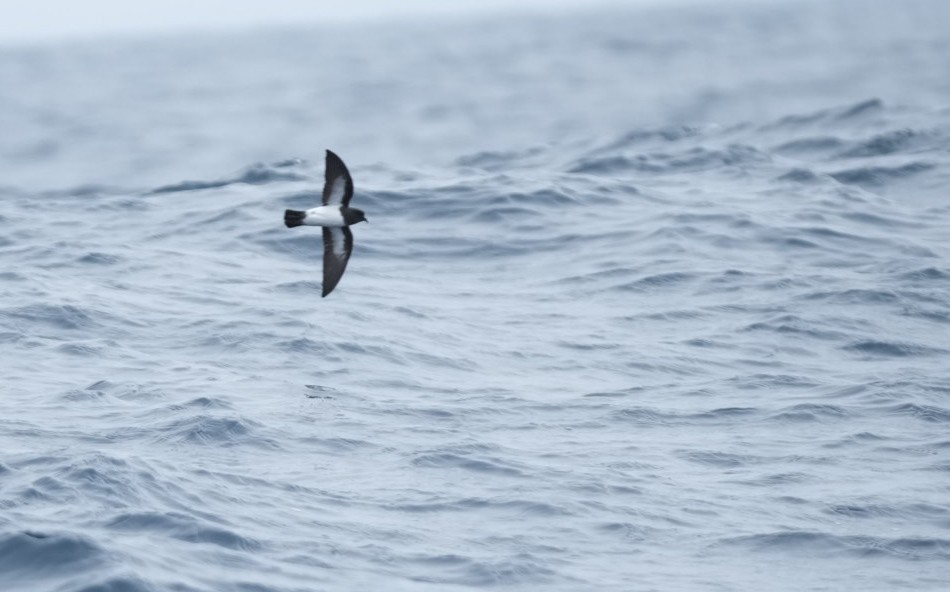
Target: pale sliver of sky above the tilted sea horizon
44 20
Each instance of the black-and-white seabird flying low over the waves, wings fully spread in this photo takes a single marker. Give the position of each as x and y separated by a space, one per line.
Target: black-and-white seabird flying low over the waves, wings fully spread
335 216
